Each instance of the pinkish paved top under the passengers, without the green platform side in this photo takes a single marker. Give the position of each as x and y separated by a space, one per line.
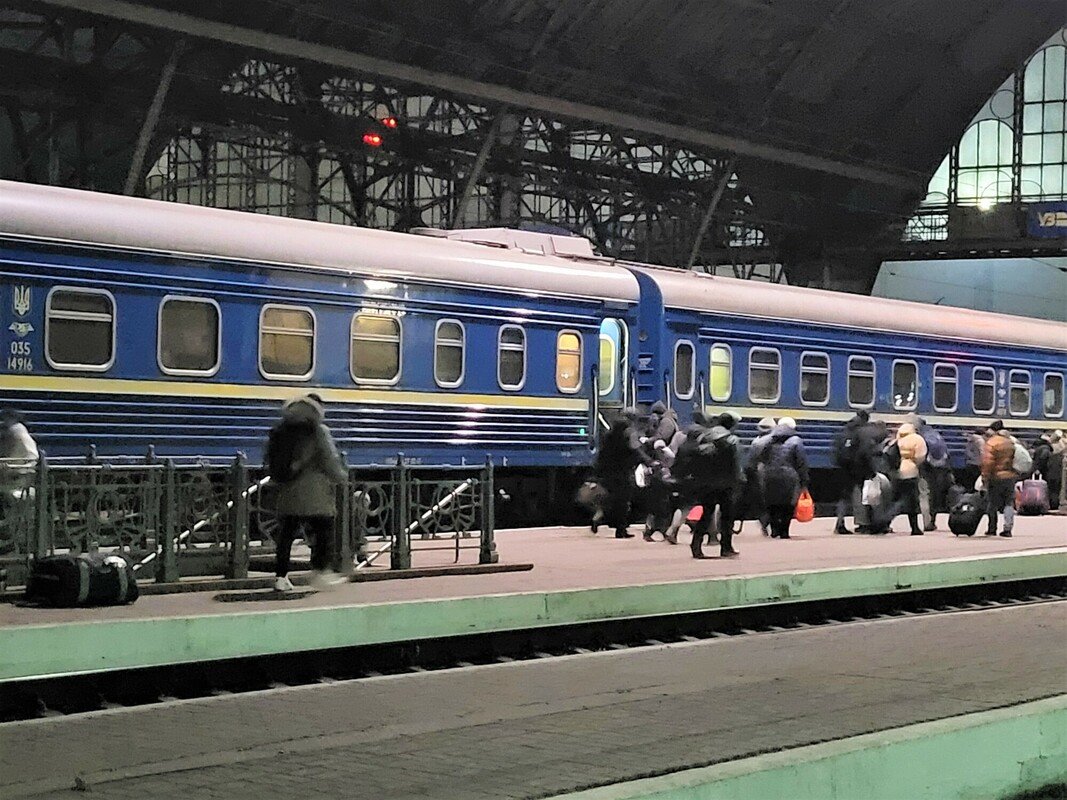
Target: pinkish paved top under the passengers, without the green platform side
574 558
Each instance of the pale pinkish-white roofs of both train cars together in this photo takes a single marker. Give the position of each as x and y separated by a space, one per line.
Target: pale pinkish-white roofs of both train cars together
513 261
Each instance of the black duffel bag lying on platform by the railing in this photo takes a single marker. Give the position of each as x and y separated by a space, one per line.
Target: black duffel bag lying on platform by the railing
89 580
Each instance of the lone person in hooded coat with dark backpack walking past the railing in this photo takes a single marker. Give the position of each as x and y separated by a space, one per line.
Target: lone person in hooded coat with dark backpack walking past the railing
304 462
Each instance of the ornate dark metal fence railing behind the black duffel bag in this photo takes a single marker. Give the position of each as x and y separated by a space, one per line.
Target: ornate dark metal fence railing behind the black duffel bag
177 521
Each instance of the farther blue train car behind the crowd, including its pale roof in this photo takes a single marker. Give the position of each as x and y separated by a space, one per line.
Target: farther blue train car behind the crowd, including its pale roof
819 357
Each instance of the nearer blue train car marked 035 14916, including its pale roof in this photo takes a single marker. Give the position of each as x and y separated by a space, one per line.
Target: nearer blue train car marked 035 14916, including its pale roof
132 324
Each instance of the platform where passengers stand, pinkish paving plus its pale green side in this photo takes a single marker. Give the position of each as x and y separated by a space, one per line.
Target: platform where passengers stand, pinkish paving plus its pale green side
577 579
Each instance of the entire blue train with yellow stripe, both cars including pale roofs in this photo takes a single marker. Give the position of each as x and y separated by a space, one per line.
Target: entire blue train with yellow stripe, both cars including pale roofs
131 323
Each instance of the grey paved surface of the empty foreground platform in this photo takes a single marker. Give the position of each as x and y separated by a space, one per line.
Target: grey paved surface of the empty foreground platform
536 729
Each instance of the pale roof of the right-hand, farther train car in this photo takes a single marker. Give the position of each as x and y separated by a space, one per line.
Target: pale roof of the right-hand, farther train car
776 301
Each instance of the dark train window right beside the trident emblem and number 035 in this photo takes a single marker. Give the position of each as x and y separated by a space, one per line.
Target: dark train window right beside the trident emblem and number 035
81 329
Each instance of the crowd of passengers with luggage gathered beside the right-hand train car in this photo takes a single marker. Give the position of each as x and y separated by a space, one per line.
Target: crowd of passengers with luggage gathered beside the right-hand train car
649 460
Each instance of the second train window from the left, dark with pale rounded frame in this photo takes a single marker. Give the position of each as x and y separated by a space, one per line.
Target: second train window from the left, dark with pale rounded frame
189 330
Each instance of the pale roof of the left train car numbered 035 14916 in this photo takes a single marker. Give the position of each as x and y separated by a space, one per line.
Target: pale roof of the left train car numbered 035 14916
55 214
